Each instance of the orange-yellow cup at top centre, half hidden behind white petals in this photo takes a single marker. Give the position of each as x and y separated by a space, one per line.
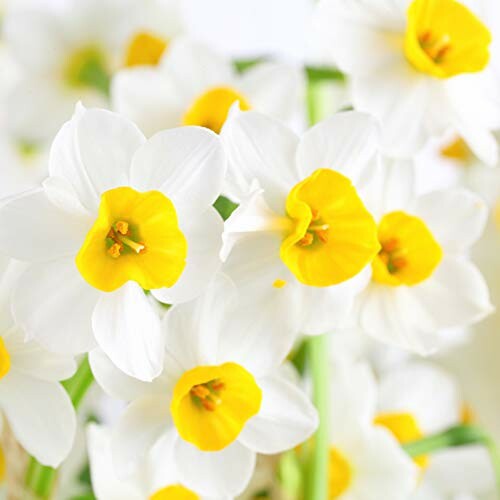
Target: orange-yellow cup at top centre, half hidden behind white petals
210 109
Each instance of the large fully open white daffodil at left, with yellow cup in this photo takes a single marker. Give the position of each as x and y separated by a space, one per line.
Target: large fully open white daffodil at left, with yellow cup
118 214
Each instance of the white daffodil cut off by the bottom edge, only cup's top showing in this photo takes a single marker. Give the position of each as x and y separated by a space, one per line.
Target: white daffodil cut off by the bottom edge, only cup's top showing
155 480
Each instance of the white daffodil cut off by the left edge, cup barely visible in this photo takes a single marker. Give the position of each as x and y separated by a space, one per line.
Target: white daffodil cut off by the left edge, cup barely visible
37 408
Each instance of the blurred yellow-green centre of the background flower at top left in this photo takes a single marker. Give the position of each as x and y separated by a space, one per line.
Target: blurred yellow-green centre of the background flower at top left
88 68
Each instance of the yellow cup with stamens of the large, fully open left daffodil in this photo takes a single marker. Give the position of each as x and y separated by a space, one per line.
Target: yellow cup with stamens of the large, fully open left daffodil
136 237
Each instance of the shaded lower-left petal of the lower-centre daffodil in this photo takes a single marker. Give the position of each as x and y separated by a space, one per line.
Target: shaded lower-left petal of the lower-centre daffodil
145 420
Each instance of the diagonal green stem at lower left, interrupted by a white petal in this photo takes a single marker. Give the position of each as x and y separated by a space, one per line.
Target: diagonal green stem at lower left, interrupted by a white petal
41 479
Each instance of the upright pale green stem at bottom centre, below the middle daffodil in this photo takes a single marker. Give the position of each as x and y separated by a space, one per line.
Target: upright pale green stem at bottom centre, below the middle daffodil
317 467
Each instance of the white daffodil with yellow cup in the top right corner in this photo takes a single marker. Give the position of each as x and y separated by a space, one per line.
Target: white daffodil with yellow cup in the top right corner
420 66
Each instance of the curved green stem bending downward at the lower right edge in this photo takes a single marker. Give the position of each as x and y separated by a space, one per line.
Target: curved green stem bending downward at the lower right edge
460 435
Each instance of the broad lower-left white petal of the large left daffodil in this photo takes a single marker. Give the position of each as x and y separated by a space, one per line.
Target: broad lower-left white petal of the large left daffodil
53 304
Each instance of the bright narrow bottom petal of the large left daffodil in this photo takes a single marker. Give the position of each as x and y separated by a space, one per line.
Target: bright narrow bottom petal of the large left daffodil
127 329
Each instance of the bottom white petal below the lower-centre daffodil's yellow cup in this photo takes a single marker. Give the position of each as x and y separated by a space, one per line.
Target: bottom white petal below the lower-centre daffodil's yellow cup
212 474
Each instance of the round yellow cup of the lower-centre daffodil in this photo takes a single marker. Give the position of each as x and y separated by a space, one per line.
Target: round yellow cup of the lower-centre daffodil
211 404
